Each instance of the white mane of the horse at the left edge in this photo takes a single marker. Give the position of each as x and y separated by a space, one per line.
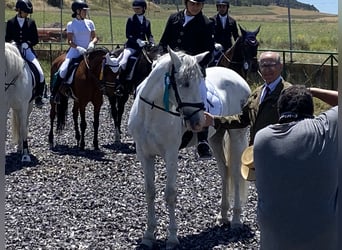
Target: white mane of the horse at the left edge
14 63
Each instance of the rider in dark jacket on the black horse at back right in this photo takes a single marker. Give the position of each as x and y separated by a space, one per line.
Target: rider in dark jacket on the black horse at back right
225 26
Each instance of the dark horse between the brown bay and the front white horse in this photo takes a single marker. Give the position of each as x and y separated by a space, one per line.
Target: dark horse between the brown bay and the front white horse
142 68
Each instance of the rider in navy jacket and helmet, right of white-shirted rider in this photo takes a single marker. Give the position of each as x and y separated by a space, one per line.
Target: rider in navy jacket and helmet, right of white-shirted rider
138 34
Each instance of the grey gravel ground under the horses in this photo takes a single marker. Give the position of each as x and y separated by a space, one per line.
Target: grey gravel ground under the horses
67 199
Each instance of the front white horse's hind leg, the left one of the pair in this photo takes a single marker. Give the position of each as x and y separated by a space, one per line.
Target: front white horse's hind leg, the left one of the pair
217 144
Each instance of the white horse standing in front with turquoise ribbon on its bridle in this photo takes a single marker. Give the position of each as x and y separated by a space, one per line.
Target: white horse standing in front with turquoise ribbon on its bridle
157 132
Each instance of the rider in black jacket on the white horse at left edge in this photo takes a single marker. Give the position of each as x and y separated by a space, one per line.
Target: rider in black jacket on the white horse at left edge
22 31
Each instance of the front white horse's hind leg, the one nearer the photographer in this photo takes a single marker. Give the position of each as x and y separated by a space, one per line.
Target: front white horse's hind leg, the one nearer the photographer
238 142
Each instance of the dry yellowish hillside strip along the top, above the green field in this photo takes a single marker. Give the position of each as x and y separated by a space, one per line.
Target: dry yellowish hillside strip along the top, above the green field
254 12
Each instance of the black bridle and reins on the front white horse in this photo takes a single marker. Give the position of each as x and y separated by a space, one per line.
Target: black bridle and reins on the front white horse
171 82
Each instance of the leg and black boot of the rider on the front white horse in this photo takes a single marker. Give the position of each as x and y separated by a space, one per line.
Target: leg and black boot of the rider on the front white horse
203 148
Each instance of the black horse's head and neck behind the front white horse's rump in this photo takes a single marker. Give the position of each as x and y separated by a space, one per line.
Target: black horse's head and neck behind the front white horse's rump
242 56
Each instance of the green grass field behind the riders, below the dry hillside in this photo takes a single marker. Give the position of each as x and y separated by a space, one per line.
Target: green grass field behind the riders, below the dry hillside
274 34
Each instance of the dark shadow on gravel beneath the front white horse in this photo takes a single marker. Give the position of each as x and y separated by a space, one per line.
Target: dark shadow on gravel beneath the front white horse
210 238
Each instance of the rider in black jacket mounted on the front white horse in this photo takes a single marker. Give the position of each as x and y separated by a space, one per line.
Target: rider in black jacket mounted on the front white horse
191 31
